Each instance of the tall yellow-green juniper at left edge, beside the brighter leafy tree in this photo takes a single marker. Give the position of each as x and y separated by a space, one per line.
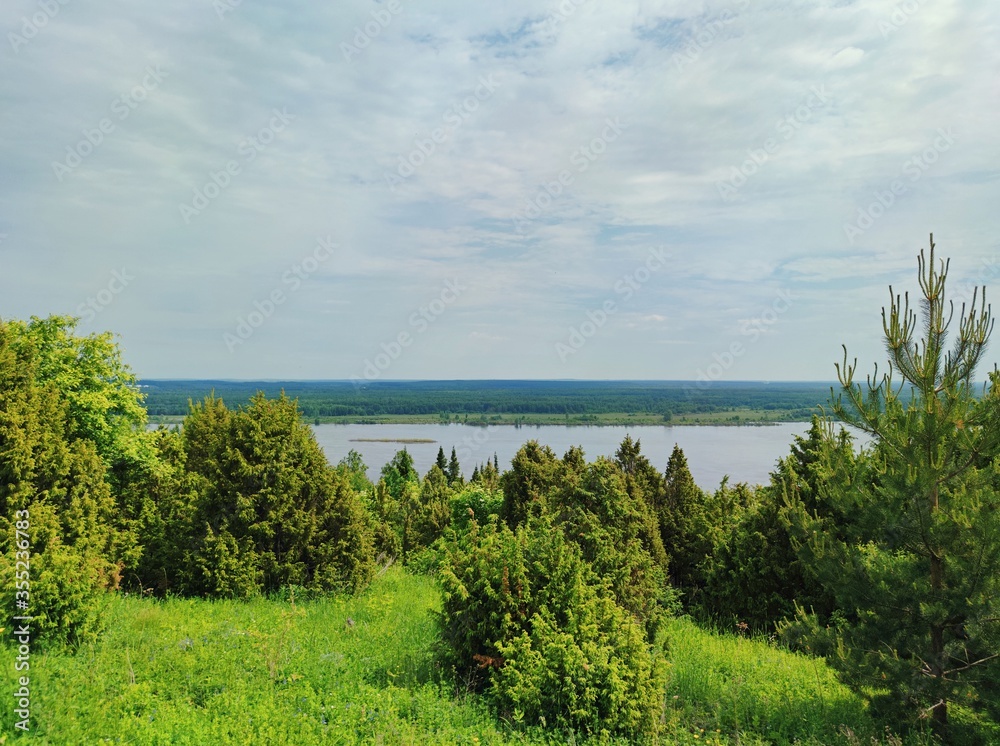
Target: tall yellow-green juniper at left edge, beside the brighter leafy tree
70 549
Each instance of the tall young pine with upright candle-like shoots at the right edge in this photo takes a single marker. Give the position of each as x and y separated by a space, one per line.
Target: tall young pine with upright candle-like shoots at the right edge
917 575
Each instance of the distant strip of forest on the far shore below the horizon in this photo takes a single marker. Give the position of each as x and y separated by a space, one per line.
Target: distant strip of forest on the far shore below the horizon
788 400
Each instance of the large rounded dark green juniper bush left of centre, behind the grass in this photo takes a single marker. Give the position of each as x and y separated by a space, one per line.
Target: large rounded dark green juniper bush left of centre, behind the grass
270 512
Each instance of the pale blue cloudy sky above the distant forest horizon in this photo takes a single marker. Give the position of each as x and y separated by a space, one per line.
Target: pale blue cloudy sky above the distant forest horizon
442 190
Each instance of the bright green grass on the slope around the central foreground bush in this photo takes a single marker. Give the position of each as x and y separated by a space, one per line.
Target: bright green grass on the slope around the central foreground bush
360 670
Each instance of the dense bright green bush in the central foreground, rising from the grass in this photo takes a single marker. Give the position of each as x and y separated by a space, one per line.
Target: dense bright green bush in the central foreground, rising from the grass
527 619
